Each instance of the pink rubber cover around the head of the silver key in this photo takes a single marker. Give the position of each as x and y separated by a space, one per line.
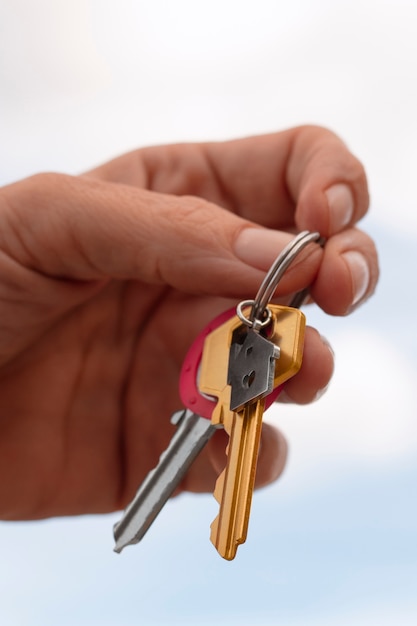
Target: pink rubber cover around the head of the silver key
189 393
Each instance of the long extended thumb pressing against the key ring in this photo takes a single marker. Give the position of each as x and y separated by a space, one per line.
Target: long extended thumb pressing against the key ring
82 229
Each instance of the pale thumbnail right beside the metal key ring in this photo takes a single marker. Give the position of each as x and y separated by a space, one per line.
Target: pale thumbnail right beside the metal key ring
259 247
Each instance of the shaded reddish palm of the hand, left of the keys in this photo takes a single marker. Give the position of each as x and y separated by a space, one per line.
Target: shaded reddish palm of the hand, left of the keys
95 393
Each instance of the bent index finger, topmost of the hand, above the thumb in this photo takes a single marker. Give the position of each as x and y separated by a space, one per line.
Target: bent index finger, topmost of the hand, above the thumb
304 177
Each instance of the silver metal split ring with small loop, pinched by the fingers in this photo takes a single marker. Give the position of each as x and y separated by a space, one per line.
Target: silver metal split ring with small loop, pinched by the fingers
259 316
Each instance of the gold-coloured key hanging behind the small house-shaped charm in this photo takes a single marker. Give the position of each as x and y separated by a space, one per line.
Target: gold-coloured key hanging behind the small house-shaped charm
235 485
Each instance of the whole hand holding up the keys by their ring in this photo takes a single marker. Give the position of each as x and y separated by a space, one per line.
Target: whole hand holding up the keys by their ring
106 278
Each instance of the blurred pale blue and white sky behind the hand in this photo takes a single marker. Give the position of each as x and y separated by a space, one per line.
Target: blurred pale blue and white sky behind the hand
335 540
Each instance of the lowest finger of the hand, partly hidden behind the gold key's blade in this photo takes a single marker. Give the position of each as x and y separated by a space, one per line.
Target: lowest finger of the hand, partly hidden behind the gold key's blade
212 461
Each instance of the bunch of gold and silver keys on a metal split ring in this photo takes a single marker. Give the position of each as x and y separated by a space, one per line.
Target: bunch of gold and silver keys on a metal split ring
233 371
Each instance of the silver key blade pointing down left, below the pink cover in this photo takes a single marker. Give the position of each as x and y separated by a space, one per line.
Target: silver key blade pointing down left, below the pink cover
192 434
